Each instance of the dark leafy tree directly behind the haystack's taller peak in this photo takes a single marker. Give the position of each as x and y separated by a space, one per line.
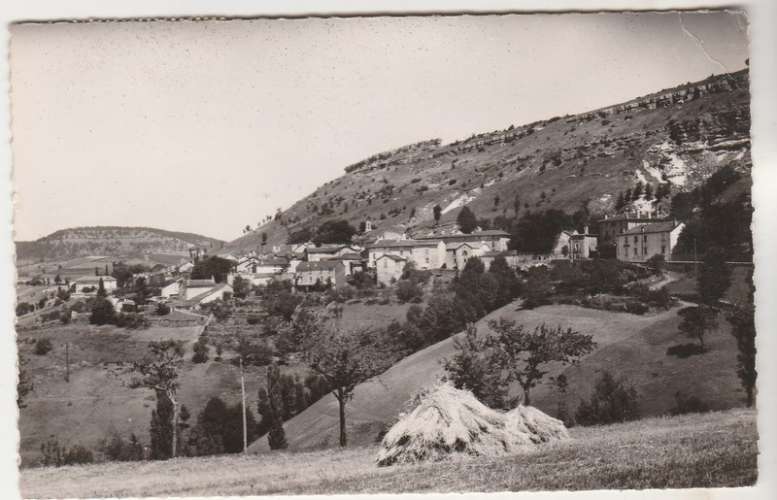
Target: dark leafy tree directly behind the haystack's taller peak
471 368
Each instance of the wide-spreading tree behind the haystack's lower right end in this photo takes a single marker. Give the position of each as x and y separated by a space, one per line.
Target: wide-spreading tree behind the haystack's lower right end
524 355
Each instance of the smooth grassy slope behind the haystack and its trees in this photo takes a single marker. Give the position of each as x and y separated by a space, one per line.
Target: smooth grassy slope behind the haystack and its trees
629 346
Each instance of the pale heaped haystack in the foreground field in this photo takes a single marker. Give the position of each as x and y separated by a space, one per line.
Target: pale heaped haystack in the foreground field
451 422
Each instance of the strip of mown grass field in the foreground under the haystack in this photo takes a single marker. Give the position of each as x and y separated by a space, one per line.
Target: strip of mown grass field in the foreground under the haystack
711 450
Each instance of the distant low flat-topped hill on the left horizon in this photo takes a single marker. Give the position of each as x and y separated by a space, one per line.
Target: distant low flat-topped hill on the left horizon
109 240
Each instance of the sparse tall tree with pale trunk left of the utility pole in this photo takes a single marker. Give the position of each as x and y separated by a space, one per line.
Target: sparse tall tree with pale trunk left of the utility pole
159 372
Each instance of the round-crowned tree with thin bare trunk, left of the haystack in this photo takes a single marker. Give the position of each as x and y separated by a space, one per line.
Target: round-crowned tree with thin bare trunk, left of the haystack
342 362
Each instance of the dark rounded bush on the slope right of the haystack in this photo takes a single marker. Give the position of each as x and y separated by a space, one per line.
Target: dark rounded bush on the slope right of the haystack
612 401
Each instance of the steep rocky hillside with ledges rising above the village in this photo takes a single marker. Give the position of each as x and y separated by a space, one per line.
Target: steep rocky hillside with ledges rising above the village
677 136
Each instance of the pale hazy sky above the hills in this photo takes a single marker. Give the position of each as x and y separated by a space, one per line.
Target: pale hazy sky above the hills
209 126
